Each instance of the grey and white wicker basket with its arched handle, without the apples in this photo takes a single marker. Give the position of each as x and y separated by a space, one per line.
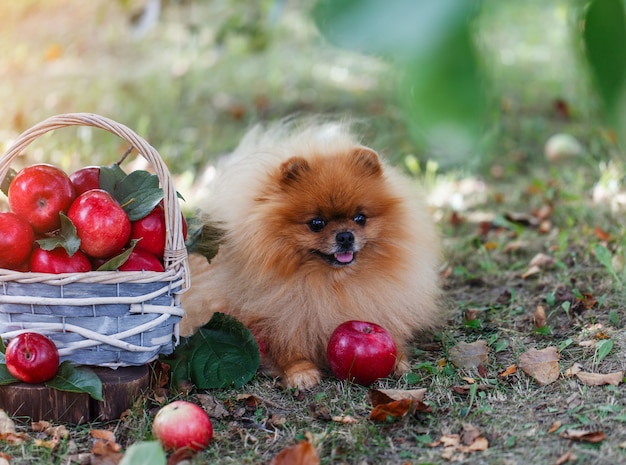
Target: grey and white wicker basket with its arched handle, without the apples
101 318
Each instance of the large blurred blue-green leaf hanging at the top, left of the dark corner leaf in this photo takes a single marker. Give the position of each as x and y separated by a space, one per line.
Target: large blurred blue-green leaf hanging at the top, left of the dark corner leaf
440 82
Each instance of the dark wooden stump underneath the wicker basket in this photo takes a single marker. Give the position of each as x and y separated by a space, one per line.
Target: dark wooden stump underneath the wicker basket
119 389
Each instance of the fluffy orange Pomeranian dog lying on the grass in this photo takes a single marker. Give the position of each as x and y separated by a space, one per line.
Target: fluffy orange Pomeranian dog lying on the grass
317 231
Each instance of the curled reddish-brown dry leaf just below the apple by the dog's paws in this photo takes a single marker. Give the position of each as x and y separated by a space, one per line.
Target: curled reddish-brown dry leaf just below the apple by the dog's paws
392 404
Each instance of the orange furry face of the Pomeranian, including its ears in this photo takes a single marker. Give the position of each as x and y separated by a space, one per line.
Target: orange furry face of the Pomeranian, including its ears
327 211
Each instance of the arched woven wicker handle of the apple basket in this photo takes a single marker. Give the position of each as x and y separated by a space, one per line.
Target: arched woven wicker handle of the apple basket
175 254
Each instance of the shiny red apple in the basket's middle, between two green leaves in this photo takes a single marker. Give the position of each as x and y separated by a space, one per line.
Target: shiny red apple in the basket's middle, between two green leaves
101 223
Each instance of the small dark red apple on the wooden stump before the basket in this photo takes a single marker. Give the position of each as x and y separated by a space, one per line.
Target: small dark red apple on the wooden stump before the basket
32 358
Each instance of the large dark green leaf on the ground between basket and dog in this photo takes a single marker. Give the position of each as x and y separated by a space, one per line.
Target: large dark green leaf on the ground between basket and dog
222 353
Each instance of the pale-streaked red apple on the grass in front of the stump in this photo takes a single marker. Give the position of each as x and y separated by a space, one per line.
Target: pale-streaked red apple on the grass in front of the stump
182 424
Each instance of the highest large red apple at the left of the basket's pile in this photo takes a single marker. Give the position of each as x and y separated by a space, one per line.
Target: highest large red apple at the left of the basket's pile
38 193
